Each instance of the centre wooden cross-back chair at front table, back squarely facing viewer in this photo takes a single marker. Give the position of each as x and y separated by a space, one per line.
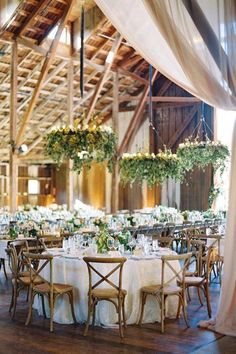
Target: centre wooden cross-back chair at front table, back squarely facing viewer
115 294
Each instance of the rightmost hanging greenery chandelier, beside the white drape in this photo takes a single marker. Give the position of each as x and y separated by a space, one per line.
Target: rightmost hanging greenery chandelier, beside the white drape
202 153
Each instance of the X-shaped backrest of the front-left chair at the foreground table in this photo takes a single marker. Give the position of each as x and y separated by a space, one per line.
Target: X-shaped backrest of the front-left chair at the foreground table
42 260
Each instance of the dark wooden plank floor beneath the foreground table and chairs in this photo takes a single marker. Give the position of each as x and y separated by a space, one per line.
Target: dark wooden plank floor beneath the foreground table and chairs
68 339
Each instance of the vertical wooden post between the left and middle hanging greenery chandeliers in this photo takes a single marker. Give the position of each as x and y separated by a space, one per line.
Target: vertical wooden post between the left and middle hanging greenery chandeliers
115 173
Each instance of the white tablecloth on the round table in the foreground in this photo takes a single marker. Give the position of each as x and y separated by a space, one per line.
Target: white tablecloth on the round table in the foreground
136 274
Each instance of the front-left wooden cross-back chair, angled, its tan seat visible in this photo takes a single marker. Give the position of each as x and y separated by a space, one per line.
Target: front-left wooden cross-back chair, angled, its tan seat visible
49 288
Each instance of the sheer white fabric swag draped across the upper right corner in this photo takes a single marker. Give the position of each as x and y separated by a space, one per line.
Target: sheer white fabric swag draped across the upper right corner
165 34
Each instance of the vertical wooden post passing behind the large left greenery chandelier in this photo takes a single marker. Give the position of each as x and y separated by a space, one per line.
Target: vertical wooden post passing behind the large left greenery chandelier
69 172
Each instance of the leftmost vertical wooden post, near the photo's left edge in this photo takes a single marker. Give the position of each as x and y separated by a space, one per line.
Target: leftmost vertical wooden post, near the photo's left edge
13 191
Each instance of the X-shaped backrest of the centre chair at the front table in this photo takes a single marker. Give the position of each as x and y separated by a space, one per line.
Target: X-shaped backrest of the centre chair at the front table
118 267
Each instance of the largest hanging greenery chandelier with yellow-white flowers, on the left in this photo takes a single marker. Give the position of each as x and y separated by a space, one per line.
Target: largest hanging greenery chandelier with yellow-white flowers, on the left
82 145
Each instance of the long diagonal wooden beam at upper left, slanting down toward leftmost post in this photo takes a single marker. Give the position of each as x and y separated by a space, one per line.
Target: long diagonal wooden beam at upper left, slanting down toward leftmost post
44 72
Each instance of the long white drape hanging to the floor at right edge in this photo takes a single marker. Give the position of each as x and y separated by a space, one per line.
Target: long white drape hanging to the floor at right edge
226 317
